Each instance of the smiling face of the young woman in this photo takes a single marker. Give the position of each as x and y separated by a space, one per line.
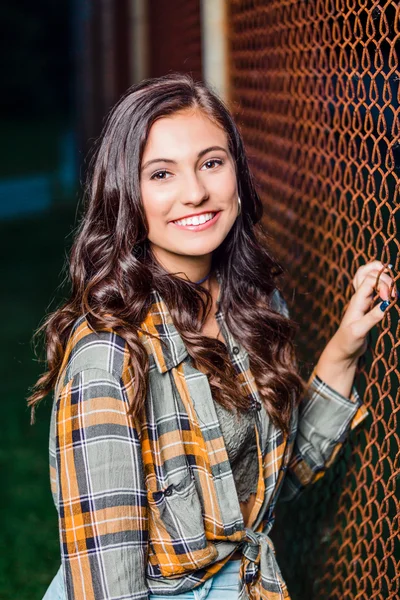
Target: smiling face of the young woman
187 172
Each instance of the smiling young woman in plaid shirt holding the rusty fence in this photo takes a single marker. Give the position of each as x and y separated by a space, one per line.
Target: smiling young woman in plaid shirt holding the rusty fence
179 415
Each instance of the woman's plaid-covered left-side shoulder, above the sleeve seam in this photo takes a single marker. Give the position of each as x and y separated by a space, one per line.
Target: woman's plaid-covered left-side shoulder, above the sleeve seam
89 349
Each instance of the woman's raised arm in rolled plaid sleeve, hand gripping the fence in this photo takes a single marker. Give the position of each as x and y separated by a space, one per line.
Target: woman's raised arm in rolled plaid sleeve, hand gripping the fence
331 405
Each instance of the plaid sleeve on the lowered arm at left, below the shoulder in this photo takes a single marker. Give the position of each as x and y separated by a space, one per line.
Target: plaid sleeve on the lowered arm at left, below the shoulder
101 491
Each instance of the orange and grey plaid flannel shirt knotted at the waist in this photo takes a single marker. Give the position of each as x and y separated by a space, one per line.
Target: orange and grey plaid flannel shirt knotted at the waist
151 507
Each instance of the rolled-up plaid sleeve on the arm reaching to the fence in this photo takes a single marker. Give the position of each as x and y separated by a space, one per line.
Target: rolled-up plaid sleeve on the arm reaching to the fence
325 418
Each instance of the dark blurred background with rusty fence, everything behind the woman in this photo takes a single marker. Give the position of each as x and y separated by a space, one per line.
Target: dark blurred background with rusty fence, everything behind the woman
314 87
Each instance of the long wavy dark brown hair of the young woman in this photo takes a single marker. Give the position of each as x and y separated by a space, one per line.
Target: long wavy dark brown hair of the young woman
113 270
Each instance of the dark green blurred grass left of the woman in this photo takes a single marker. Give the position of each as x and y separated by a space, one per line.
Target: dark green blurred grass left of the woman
33 252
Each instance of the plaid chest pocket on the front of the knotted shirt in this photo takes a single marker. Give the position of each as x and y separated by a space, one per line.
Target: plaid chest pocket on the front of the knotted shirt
177 537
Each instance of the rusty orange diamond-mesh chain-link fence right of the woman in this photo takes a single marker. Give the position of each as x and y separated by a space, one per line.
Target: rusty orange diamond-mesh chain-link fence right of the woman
315 89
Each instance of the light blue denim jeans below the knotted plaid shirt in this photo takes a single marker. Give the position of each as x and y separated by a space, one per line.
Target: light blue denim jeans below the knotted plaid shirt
222 586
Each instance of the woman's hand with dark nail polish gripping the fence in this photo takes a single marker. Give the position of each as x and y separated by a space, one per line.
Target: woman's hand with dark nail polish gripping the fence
350 340
